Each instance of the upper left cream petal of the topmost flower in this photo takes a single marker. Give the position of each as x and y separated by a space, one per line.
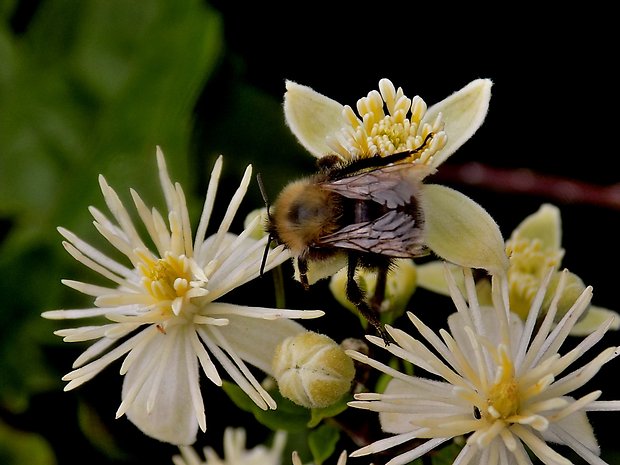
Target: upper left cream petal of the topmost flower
311 117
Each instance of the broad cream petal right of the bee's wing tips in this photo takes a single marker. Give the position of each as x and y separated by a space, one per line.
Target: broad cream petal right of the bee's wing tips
460 231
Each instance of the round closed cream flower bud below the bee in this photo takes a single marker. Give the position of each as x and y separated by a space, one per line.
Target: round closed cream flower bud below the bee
312 370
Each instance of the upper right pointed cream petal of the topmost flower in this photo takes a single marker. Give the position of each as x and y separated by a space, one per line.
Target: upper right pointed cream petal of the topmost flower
463 113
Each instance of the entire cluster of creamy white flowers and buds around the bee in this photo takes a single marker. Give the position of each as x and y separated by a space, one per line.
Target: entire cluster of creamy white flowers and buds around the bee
497 377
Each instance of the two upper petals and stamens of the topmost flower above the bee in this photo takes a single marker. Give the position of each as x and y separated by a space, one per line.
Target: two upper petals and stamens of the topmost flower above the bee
324 126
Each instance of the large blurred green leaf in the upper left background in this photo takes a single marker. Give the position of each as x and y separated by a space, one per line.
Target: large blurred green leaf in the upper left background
115 87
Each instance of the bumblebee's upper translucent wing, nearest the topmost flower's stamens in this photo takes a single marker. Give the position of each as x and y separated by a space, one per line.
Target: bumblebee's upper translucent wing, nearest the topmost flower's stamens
391 186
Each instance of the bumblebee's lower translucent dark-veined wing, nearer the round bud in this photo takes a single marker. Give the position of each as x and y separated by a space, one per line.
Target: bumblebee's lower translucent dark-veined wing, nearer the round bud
395 234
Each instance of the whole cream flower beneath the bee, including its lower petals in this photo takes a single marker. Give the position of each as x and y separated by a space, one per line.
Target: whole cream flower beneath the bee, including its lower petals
456 228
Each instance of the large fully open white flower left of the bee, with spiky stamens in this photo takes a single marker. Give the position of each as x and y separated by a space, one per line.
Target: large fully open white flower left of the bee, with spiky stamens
164 311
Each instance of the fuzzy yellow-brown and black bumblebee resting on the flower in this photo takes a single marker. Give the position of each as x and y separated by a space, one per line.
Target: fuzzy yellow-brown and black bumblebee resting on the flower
368 209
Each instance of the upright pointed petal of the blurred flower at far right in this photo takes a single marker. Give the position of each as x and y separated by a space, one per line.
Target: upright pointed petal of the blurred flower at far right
544 225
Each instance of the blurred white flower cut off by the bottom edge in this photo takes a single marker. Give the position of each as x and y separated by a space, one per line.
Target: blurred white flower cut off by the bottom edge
235 452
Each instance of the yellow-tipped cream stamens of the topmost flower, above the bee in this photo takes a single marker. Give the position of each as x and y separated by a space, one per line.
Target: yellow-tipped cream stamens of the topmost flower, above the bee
388 122
